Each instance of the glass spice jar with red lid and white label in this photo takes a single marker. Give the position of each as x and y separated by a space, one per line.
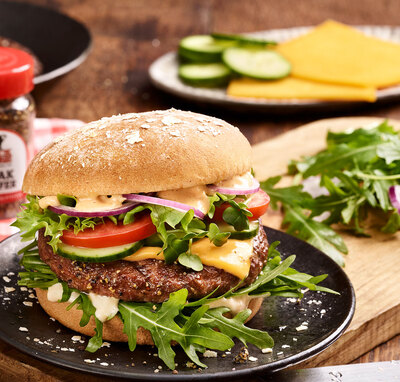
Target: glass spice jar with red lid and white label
17 112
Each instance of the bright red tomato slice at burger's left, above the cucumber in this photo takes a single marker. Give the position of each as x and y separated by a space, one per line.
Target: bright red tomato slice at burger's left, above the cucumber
110 234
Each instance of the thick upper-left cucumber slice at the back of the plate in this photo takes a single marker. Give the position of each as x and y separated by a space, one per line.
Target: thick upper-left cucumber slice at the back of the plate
202 48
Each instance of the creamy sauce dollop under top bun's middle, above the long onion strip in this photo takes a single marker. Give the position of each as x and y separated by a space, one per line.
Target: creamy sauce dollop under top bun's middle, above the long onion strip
192 196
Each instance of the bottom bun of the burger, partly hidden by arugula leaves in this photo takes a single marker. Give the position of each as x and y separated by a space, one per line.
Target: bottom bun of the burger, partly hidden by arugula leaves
112 329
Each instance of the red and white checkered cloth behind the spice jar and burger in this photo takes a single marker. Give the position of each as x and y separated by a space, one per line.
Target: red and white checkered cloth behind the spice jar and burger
44 131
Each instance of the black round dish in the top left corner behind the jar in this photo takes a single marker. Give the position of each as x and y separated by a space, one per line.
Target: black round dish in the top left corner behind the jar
60 43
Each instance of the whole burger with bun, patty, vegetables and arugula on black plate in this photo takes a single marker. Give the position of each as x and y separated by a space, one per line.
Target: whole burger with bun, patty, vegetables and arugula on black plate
145 228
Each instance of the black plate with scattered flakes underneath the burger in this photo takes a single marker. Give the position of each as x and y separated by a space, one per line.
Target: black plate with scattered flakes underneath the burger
327 317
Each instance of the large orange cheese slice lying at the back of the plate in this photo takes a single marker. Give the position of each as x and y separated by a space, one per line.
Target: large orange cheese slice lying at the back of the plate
339 54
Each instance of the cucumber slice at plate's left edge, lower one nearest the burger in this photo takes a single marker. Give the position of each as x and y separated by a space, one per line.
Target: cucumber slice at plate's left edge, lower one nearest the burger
204 75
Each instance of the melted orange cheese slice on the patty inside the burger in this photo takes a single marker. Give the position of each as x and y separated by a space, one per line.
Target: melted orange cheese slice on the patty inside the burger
233 257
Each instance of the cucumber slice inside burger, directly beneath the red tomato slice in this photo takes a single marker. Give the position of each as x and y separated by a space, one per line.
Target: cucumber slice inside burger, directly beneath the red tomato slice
98 255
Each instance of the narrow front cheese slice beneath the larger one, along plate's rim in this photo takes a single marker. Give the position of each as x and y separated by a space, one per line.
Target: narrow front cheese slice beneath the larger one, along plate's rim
296 88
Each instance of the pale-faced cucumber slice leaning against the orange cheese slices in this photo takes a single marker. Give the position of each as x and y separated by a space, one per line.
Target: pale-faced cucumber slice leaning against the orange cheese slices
261 64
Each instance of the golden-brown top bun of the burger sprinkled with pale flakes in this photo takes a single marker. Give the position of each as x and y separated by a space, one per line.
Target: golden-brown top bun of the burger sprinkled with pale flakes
145 152
